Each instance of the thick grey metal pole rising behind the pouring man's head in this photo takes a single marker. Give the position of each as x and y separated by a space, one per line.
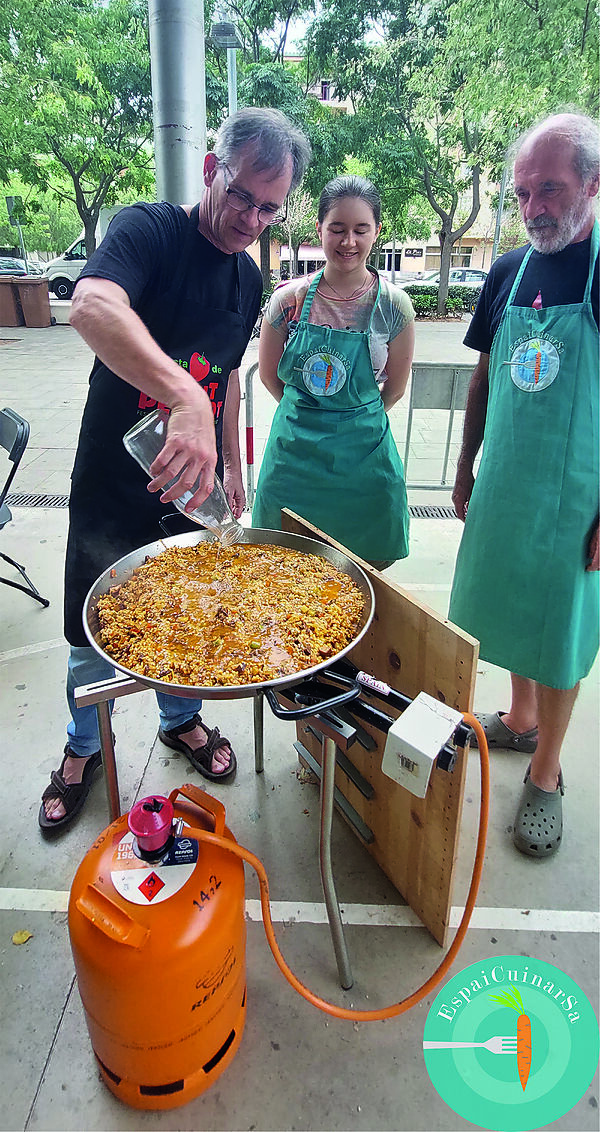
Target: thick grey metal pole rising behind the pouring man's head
179 98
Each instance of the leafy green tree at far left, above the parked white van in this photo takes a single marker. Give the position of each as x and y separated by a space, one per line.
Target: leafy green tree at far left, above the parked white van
79 110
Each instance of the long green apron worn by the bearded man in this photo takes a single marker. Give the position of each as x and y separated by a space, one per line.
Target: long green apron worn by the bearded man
520 584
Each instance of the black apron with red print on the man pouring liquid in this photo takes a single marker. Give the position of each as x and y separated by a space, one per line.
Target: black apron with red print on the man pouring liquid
112 510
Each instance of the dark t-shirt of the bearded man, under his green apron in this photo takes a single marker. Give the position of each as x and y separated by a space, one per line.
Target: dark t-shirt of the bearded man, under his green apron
560 279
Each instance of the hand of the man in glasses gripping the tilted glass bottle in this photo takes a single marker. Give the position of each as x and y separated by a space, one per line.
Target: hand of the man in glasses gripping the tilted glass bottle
190 452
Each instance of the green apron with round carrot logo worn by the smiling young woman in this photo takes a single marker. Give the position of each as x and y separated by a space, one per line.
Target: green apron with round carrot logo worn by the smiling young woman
331 456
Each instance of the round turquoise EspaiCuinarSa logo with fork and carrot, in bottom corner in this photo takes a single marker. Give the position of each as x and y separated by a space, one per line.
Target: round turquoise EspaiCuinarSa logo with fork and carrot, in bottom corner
511 1043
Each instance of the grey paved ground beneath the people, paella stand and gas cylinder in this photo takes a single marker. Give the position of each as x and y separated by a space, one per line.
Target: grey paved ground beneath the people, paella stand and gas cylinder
296 1069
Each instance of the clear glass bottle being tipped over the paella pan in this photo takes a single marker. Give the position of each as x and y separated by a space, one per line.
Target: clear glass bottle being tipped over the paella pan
145 441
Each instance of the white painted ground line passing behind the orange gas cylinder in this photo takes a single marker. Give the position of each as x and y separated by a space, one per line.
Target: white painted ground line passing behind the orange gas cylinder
289 912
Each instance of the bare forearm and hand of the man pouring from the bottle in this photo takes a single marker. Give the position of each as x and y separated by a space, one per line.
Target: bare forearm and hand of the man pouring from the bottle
102 315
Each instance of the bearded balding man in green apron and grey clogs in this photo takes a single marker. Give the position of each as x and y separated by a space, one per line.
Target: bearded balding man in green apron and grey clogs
526 582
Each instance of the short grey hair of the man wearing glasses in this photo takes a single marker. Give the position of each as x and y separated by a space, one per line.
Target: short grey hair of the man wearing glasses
272 134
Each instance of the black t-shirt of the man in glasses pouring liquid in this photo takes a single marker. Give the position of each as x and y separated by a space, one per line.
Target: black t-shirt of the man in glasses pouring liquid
141 254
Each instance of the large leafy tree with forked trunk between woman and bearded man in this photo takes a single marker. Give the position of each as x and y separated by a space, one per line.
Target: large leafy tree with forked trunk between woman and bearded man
443 89
